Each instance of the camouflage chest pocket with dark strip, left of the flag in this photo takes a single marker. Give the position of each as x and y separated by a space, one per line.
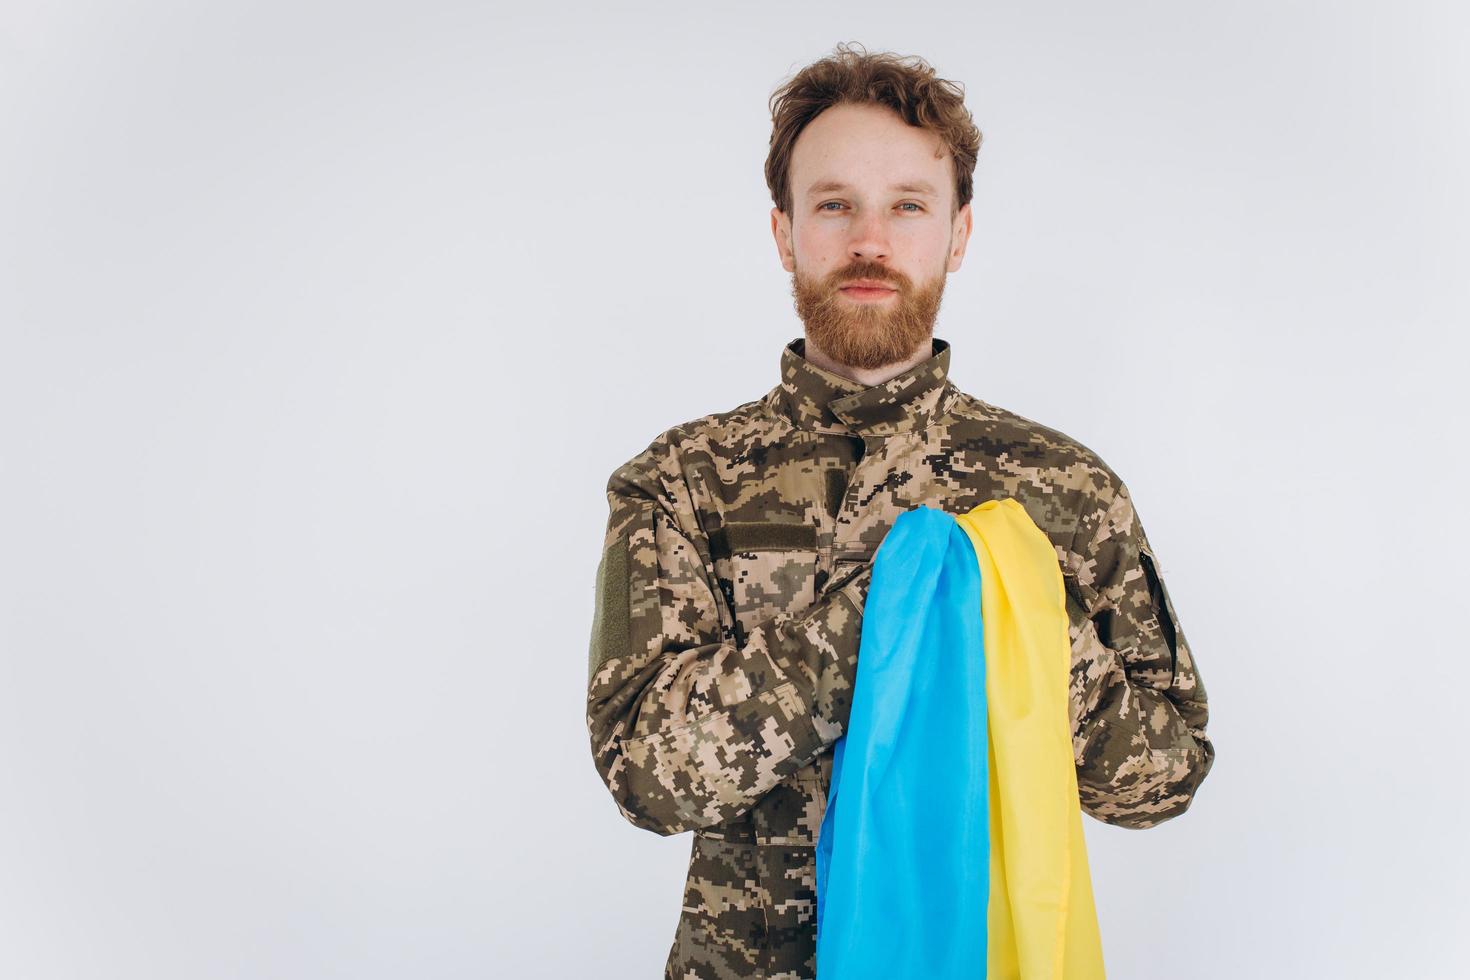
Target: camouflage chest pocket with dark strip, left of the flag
765 569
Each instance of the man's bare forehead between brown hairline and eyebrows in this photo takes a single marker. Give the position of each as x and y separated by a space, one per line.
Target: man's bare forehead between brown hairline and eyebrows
867 148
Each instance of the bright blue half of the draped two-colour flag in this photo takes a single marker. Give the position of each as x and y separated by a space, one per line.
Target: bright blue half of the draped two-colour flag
903 853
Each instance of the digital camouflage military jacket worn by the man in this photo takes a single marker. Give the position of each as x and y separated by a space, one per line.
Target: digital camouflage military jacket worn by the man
728 613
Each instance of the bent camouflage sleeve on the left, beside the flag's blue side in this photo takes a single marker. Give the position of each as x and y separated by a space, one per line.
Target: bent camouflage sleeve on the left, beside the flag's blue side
687 728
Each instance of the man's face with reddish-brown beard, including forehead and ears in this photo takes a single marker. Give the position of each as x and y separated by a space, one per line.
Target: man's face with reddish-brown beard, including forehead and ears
870 202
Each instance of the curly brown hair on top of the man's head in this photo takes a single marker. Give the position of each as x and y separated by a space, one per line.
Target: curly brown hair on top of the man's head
906 84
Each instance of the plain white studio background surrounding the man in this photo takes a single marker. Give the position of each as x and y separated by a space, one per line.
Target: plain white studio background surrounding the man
324 325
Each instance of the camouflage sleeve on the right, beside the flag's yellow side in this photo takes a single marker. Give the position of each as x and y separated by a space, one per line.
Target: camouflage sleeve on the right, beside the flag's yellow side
1140 703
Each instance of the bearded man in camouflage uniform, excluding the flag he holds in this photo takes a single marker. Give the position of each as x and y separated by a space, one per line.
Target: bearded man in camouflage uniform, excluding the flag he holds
739 547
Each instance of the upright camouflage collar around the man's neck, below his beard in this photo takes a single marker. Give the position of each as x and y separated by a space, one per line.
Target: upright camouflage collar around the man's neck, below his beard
820 400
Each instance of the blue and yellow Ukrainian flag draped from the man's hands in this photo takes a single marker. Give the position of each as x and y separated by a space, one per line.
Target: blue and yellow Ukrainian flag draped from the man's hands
952 846
